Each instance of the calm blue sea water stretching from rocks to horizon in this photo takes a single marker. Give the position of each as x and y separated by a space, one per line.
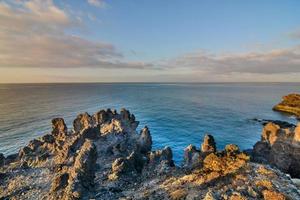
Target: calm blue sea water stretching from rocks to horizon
177 114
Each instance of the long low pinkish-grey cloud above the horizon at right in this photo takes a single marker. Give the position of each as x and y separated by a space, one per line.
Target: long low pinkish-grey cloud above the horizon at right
271 62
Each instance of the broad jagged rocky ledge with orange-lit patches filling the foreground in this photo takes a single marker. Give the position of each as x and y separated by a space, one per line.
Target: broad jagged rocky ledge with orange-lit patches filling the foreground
104 157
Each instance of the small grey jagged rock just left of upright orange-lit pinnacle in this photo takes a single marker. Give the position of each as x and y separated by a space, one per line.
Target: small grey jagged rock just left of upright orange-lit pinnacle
191 157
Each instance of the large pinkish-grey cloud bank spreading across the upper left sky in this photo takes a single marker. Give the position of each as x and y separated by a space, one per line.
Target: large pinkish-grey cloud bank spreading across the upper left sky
35 34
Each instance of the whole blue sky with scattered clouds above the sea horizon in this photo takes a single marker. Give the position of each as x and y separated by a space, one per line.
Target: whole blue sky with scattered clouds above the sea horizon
149 41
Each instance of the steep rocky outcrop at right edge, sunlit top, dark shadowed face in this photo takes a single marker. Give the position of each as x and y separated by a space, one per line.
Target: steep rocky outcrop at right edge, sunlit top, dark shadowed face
280 147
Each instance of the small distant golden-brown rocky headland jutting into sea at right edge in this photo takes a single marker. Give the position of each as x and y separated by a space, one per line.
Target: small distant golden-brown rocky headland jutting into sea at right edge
289 104
